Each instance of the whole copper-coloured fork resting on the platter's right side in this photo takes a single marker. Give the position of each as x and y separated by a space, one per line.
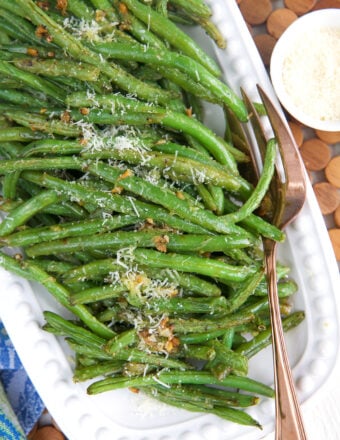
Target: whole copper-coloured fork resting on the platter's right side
286 198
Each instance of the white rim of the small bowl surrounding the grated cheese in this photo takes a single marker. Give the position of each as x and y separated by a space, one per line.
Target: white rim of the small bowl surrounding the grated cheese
324 17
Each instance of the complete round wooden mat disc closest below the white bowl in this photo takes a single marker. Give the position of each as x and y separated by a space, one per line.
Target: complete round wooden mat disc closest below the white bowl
315 153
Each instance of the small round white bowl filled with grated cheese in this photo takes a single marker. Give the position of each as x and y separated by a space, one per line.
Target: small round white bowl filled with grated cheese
304 87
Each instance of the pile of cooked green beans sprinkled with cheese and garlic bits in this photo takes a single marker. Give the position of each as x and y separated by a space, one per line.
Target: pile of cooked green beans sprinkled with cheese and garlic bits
127 207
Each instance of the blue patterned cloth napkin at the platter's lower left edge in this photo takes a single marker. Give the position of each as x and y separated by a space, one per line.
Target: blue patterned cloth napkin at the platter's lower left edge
20 404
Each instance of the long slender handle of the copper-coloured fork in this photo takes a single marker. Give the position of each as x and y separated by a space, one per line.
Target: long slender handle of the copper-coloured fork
288 420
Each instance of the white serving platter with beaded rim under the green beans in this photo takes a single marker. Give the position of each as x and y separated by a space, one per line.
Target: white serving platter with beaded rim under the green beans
122 415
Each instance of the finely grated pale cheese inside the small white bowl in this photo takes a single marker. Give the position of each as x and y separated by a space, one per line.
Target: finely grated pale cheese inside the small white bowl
311 73
